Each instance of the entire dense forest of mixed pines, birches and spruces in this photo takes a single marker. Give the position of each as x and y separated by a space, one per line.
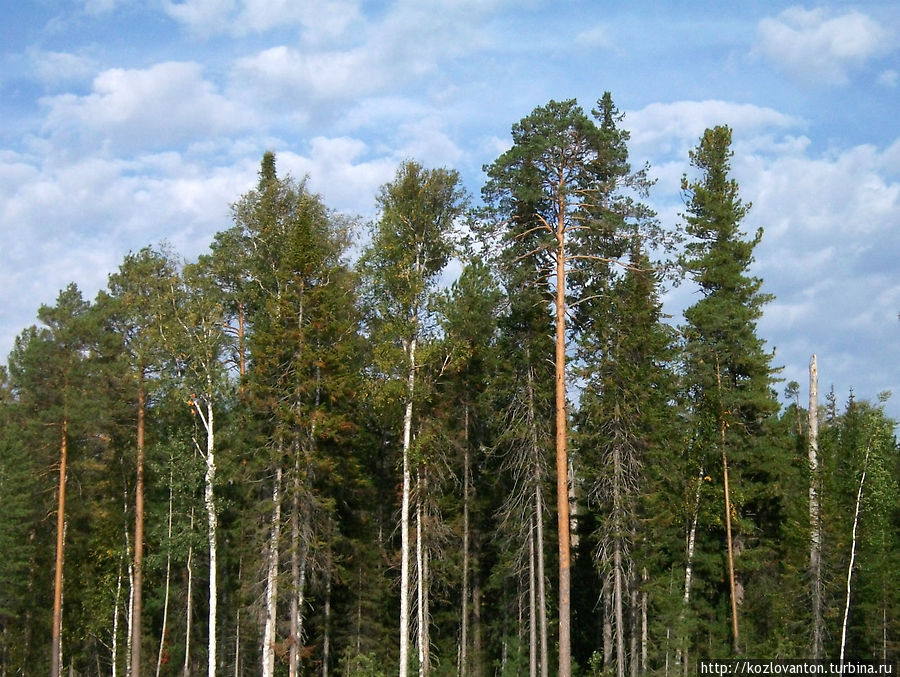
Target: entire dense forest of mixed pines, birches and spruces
464 438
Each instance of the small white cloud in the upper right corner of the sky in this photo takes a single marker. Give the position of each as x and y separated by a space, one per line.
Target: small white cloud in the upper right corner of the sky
818 47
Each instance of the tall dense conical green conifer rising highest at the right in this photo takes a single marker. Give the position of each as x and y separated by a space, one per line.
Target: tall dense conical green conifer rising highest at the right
727 368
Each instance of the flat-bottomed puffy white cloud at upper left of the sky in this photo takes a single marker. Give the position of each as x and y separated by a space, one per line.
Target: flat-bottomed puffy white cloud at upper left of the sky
154 108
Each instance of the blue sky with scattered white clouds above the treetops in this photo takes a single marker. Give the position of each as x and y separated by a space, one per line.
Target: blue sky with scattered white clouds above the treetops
124 123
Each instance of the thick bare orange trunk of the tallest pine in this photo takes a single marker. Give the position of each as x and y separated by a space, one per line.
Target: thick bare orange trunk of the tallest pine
562 461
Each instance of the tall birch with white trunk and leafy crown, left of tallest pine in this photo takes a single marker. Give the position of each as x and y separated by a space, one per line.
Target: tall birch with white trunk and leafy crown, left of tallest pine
412 242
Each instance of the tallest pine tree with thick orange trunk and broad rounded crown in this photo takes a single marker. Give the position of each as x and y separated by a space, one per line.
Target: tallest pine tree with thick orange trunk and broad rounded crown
558 197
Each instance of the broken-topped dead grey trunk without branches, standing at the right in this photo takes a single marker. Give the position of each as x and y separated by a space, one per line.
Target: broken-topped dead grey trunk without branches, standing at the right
815 523
